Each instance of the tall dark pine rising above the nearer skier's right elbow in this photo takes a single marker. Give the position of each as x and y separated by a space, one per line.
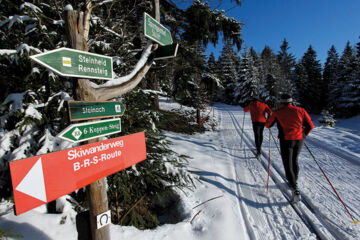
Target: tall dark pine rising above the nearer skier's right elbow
313 99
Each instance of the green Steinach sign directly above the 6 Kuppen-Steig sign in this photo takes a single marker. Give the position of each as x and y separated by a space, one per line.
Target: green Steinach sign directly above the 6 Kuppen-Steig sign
80 110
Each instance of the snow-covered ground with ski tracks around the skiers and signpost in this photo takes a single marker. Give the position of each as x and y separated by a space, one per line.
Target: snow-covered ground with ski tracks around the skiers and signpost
231 201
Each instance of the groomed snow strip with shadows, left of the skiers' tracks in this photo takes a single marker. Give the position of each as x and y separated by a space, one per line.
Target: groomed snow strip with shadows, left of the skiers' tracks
265 215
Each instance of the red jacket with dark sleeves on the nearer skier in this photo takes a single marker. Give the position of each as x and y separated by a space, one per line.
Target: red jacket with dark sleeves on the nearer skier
291 121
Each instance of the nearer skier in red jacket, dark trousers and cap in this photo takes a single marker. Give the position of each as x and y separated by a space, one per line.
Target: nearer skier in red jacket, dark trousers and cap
294 124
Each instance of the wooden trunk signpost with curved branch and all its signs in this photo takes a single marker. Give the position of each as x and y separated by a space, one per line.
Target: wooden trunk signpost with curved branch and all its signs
37 180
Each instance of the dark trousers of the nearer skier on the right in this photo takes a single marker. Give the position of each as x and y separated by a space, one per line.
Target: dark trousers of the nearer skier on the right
290 150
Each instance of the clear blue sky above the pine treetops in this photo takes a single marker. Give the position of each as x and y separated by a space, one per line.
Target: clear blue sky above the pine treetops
321 23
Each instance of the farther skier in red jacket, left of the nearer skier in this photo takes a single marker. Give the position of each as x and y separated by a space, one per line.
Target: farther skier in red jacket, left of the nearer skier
258 111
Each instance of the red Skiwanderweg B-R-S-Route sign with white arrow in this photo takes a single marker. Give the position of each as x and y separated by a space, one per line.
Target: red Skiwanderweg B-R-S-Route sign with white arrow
42 179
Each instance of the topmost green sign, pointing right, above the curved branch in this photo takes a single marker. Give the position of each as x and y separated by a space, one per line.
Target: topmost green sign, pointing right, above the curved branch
156 32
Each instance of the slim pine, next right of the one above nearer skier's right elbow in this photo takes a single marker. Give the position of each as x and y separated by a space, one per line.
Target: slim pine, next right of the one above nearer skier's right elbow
330 77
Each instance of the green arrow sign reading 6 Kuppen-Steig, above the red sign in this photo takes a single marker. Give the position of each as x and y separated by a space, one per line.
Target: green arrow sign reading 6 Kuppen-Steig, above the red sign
85 131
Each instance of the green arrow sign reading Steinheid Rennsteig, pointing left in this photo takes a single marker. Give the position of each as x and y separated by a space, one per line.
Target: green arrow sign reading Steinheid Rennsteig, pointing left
74 63
